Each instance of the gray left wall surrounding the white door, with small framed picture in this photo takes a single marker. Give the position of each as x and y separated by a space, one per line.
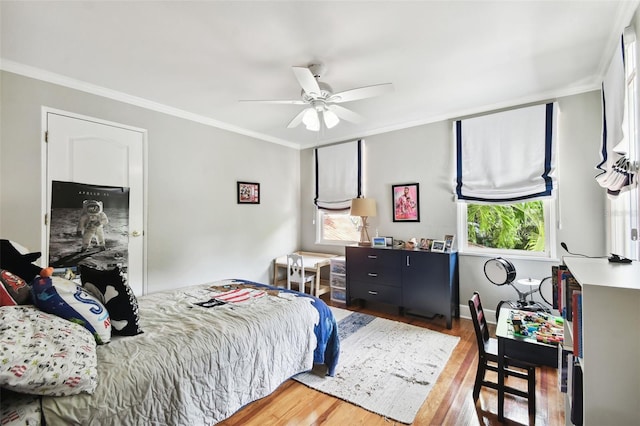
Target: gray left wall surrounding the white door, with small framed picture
195 232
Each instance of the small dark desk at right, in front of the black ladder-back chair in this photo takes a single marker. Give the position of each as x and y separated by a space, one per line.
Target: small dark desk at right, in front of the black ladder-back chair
519 347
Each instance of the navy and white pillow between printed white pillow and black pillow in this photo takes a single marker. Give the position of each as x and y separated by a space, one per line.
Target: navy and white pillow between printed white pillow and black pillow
68 300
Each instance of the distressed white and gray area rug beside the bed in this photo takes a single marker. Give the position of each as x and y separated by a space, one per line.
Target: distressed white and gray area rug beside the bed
386 367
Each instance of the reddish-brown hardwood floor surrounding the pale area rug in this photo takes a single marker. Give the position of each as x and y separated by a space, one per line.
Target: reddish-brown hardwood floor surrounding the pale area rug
449 403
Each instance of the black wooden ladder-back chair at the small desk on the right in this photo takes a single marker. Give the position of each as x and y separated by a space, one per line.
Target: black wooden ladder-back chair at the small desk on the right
488 360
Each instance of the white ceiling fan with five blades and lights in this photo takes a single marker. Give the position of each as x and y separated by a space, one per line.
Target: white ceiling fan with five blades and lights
322 103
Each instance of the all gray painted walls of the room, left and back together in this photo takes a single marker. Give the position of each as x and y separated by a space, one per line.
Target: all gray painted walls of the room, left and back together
196 232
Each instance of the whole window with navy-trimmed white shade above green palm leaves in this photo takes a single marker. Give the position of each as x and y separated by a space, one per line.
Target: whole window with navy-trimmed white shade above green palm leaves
505 184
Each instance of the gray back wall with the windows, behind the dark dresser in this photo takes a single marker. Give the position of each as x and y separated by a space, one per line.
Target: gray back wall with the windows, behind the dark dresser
425 155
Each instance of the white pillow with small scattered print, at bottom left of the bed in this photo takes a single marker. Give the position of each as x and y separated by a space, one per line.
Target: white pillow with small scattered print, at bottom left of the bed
43 354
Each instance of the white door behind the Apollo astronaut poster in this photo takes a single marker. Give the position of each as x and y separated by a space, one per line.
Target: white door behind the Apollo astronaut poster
85 150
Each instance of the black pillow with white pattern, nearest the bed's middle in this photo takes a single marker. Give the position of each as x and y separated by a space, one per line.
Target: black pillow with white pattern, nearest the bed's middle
111 288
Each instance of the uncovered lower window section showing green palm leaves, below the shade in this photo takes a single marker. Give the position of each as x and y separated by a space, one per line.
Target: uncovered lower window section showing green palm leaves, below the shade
518 229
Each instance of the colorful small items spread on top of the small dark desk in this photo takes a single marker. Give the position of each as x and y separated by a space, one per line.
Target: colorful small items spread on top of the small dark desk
539 325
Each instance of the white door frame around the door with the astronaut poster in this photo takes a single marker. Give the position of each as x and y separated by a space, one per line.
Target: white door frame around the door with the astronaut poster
45 110
